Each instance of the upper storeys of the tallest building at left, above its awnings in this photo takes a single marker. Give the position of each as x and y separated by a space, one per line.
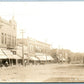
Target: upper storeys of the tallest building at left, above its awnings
7 33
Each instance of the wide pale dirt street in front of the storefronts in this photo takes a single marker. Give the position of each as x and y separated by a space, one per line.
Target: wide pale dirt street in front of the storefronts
43 73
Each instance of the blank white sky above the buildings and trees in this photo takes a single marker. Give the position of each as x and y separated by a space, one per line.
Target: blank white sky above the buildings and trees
60 24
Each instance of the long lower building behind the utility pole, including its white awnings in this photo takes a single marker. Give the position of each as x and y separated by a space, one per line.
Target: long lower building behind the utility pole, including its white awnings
34 50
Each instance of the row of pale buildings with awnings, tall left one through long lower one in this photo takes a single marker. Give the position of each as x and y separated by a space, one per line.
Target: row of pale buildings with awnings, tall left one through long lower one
11 47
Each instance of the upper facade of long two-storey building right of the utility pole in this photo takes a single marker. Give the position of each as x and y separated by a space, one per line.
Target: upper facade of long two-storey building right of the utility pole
35 46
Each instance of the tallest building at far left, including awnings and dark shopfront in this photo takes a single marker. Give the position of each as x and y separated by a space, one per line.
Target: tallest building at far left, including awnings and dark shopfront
7 41
